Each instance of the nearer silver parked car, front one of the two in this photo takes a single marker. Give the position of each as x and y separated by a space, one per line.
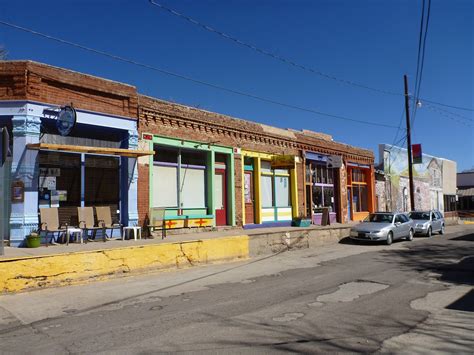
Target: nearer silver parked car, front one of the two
384 226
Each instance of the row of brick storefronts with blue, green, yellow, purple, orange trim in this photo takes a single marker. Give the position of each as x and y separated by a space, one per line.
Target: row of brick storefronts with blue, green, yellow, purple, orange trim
131 153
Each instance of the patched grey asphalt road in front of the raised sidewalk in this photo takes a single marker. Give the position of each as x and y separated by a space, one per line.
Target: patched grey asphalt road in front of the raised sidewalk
410 297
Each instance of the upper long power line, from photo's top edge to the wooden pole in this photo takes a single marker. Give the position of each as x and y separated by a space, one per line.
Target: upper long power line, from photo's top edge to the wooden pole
268 53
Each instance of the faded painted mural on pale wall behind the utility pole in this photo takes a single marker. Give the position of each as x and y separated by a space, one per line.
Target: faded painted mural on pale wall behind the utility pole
427 180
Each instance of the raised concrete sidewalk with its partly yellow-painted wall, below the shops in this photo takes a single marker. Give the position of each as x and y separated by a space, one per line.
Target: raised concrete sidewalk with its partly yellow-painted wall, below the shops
24 269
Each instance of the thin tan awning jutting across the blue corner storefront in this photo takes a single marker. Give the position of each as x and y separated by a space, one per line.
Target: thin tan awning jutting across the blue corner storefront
130 153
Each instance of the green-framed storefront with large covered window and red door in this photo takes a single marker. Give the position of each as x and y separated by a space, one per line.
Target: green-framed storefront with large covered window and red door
193 181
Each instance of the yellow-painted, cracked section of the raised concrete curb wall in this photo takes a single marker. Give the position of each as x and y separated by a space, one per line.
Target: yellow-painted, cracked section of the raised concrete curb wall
19 274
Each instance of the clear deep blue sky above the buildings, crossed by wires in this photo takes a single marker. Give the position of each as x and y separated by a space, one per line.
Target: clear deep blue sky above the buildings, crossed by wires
371 42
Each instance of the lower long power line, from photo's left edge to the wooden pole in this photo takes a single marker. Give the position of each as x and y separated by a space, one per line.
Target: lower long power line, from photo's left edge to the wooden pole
197 81
